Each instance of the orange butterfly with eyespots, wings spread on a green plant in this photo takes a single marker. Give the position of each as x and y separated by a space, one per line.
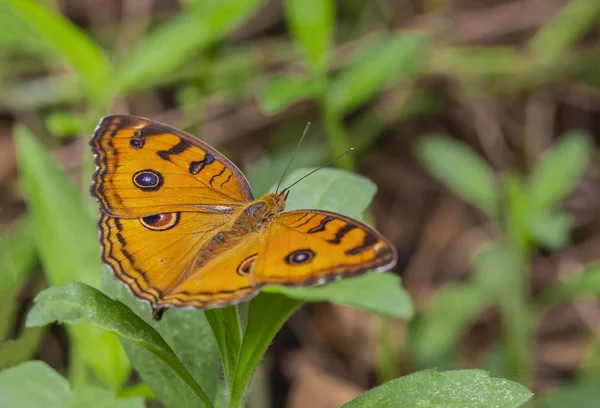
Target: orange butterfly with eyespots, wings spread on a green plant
180 227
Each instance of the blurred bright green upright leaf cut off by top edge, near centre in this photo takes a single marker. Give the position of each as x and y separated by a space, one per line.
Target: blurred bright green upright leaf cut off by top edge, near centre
312 24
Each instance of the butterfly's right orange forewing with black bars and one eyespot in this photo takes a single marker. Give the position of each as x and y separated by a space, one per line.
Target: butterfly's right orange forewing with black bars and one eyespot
308 247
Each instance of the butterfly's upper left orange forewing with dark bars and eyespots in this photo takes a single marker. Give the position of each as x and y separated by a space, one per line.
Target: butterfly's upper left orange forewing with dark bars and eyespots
145 167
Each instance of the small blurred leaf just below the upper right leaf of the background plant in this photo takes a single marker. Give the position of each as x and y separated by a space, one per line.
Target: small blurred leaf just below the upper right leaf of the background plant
550 230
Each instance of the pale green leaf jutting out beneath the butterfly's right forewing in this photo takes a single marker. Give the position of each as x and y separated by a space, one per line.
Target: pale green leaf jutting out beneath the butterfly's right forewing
380 293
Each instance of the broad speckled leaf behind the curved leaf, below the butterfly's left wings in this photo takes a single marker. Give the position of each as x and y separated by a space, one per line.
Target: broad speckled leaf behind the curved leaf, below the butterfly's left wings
189 335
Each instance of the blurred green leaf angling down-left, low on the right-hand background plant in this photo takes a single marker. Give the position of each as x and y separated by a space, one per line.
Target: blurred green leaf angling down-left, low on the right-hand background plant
438 329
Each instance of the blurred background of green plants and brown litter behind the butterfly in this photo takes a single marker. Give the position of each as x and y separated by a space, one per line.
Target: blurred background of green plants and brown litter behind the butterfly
452 107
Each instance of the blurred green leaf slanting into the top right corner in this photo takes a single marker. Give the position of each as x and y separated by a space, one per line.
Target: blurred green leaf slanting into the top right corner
556 38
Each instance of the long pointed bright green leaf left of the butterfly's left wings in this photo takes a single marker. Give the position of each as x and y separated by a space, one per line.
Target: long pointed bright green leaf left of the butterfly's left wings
64 233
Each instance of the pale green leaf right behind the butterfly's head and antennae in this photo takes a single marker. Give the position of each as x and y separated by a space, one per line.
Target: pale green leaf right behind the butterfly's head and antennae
330 189
